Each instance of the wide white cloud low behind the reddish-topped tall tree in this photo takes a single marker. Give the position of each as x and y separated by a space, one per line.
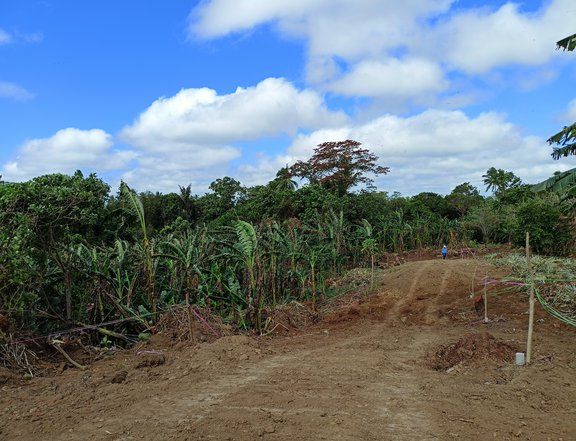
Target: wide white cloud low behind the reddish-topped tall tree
435 150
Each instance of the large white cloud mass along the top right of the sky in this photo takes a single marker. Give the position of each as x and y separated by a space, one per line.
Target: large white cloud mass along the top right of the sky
350 43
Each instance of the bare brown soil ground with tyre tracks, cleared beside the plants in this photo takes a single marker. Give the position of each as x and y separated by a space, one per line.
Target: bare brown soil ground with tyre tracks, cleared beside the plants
414 362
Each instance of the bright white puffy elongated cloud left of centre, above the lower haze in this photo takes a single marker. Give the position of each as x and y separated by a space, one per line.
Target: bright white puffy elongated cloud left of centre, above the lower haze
202 117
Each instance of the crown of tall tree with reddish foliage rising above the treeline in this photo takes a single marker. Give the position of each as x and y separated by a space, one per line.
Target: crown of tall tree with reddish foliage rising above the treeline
339 166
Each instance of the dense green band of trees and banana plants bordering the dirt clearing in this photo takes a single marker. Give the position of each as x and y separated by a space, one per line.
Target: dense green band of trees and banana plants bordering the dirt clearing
72 254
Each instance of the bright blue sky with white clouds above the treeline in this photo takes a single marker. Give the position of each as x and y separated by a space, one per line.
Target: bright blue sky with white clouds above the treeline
163 94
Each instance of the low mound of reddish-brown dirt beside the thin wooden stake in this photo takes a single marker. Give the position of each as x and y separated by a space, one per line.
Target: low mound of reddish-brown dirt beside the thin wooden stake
472 348
